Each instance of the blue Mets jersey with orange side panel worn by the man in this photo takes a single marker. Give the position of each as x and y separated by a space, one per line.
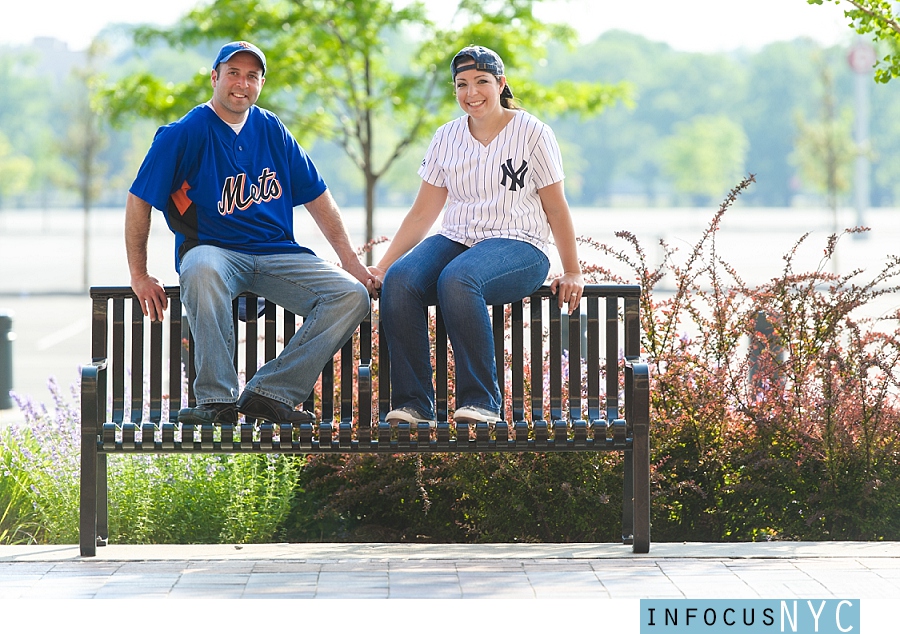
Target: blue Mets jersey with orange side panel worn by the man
235 191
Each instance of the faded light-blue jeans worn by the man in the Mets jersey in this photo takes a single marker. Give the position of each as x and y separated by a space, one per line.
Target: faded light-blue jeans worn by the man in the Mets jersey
331 301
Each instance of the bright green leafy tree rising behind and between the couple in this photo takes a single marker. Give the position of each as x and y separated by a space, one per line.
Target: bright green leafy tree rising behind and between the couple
366 74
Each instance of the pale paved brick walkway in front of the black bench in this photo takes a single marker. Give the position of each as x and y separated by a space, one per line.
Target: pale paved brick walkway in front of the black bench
453 571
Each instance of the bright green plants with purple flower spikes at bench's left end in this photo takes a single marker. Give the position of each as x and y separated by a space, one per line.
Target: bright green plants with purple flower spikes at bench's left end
241 498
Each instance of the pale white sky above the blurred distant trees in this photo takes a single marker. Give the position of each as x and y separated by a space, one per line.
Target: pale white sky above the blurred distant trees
687 25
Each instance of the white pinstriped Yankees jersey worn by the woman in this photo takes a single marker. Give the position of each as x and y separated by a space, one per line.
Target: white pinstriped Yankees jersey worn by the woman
492 191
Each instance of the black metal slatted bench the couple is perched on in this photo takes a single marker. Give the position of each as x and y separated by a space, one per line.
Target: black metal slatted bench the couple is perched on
154 360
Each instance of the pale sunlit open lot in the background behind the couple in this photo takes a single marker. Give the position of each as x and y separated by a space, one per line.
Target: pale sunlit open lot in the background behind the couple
41 257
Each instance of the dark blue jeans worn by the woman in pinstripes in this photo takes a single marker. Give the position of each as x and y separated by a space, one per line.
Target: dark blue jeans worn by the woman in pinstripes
462 281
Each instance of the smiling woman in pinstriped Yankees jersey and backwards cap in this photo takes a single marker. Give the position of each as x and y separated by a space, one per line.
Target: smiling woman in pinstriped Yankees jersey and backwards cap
500 171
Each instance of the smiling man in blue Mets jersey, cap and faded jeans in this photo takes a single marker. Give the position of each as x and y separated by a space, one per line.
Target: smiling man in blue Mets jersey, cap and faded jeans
227 175
